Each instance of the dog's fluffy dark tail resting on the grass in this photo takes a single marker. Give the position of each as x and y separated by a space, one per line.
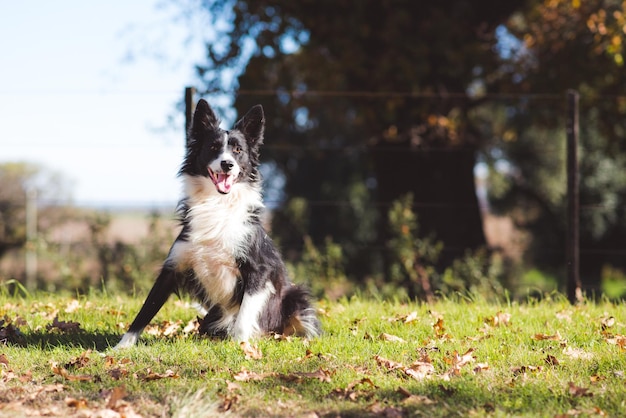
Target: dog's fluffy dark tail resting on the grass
299 316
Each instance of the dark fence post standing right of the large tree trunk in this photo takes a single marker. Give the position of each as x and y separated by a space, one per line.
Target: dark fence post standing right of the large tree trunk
574 286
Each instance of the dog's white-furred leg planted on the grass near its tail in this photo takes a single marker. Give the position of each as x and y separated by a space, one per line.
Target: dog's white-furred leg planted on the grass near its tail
252 305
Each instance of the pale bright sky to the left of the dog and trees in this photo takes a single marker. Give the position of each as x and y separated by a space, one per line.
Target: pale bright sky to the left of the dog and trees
86 89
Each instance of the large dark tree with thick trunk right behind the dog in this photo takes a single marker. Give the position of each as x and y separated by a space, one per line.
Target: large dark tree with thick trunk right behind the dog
360 112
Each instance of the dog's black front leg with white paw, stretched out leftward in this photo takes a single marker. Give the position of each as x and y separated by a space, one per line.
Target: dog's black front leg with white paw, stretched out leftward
163 287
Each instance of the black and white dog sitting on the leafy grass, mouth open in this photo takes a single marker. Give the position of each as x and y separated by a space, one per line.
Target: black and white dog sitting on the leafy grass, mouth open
223 256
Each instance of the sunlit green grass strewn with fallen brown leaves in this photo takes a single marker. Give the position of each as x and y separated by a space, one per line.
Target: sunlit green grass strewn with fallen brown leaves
512 371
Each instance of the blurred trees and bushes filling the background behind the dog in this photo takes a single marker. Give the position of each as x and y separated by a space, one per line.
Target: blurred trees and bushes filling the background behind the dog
413 149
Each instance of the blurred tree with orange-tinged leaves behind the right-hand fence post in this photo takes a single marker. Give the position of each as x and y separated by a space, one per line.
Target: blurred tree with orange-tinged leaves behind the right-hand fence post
558 45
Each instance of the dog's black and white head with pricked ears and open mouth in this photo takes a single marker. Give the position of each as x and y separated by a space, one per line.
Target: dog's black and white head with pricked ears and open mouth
226 157
